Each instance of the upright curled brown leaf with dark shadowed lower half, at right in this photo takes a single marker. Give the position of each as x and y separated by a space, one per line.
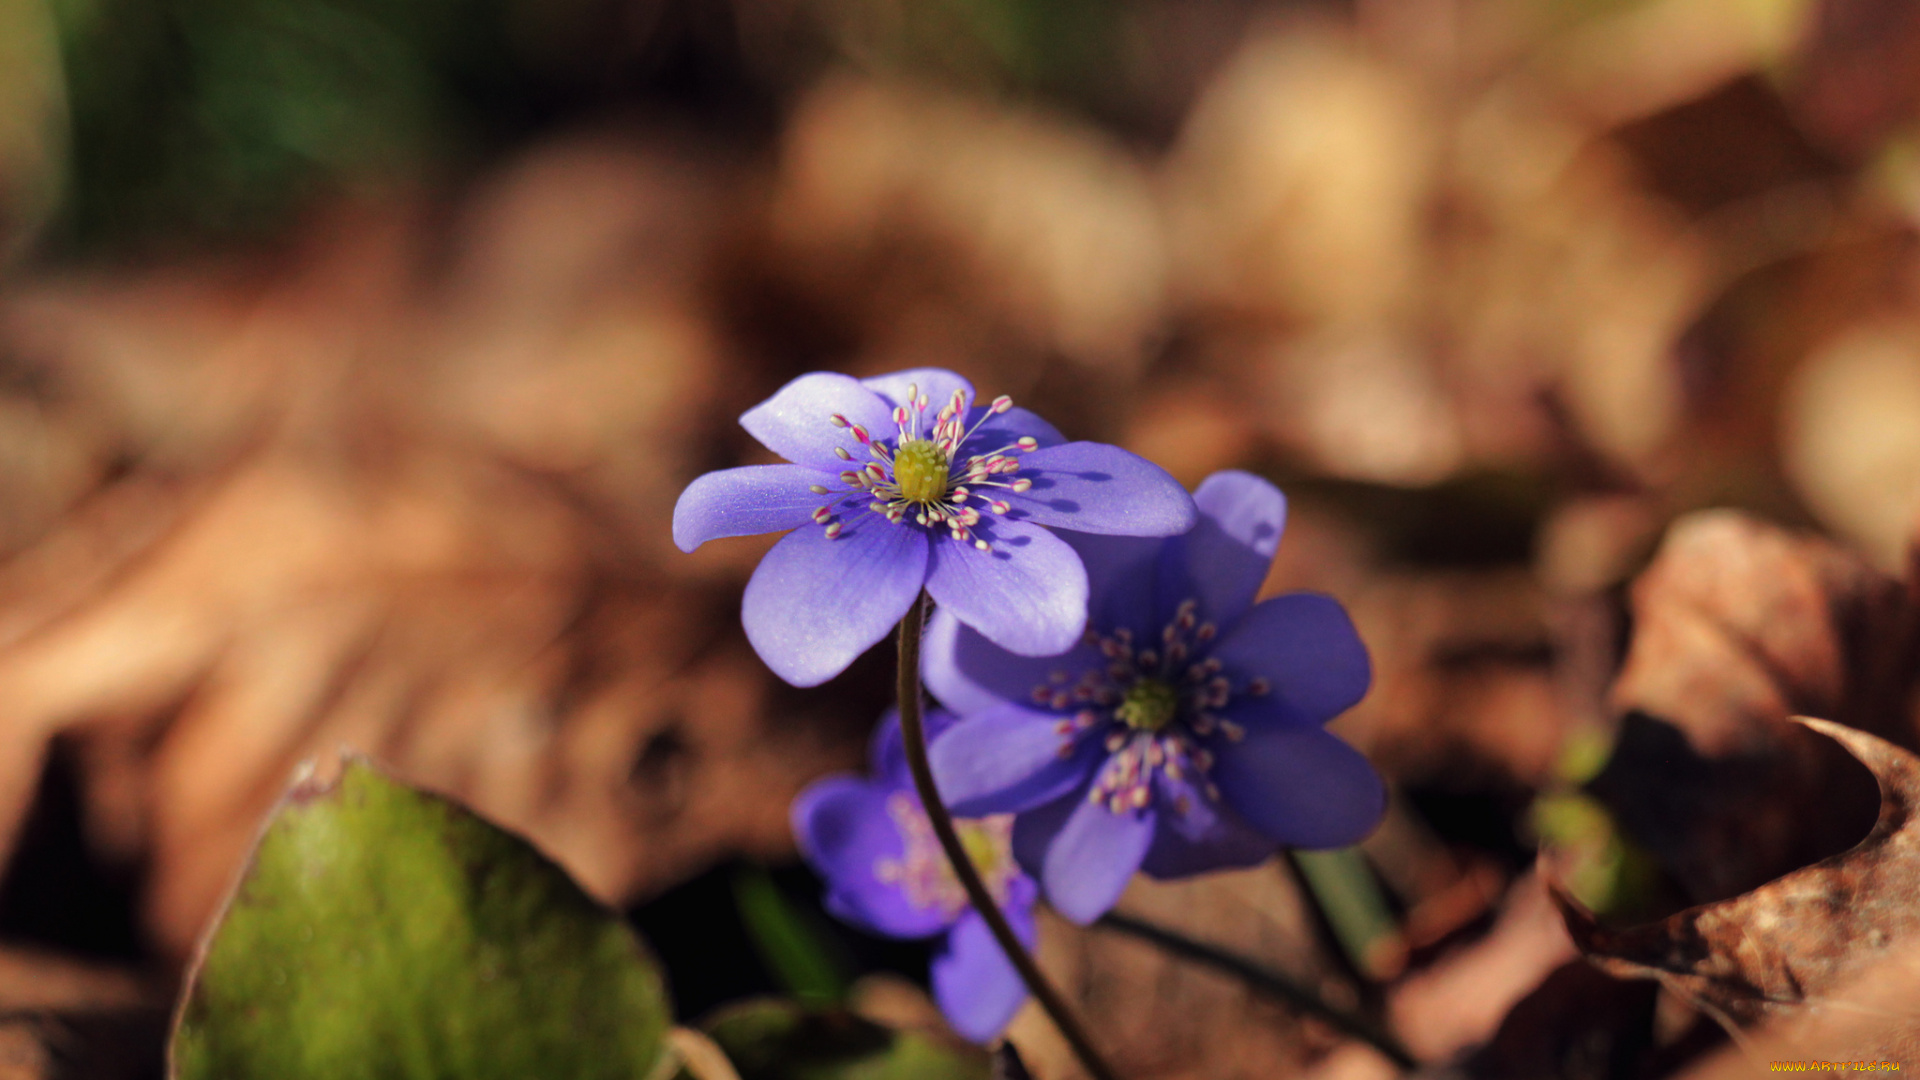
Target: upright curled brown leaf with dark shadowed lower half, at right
1739 626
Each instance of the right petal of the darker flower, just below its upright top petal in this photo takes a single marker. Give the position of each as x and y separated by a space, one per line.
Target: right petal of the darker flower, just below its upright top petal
1307 649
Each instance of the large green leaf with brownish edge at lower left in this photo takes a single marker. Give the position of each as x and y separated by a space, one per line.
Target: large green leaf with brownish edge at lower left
385 933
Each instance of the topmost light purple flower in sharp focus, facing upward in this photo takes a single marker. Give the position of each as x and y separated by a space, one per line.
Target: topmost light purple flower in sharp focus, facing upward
886 499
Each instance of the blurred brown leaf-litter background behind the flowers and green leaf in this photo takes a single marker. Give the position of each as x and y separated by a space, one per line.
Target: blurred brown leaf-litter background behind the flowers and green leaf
352 356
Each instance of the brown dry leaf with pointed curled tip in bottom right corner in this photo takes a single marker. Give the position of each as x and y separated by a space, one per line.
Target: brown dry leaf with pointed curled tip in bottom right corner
1790 943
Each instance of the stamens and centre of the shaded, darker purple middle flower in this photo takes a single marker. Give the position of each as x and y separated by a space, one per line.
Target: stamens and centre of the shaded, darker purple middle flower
1153 702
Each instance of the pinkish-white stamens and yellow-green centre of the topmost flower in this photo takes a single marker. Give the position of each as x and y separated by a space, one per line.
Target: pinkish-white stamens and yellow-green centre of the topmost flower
919 476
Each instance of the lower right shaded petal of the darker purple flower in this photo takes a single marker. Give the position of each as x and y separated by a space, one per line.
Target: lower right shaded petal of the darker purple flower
1301 785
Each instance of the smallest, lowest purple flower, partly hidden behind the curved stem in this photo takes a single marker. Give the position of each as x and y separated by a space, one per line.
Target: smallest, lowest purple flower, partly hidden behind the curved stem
886 873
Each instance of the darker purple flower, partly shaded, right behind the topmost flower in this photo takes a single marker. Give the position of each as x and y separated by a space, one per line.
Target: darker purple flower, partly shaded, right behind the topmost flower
1184 733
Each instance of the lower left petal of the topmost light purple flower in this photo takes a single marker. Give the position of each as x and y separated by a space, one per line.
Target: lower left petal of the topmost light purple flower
815 604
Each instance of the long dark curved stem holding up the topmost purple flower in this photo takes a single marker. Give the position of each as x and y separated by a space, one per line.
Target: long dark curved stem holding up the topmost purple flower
913 733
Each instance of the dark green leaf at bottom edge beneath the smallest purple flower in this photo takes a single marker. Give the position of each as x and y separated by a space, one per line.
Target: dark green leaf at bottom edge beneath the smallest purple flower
780 1041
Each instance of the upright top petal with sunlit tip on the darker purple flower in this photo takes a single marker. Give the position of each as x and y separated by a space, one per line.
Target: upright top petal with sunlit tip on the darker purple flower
1230 551
